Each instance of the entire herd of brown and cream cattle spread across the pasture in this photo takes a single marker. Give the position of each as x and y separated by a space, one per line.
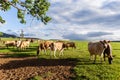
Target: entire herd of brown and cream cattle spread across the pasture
101 48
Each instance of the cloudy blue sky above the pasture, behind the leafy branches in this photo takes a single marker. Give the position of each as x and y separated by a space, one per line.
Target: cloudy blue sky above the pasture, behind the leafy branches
71 19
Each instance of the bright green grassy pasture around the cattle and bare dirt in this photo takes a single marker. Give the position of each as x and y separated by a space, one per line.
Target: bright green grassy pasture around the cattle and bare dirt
84 69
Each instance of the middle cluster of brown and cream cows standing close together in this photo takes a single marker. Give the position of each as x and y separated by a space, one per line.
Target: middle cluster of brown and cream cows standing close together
54 46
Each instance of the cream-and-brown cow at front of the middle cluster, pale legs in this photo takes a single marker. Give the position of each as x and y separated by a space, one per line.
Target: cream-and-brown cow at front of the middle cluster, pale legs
57 46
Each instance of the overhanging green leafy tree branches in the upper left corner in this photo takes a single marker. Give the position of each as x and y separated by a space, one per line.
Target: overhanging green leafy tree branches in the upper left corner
36 8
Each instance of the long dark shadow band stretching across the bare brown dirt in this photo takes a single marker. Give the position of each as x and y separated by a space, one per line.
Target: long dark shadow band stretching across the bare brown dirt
37 62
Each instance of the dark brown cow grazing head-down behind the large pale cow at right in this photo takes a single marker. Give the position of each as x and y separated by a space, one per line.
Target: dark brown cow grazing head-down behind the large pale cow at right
108 51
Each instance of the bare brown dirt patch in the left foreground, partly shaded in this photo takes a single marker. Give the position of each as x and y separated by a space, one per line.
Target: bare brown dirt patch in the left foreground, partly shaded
28 67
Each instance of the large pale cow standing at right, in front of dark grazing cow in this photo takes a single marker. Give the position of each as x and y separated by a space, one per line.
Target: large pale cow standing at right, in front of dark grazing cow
97 48
